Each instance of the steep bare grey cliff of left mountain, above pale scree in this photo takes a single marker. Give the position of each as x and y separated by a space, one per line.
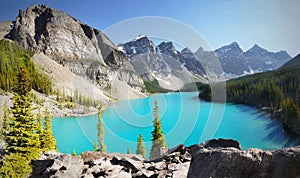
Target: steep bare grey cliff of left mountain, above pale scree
82 49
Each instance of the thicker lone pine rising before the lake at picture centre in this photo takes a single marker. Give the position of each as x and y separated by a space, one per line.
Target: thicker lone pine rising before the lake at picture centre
158 140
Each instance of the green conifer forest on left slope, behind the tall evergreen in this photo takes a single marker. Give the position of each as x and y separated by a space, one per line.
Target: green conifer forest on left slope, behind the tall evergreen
12 57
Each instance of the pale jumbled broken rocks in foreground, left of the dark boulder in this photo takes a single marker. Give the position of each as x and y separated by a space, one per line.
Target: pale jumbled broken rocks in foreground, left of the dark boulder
95 164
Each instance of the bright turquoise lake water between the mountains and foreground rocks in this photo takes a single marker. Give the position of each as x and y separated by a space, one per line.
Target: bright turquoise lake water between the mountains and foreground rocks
185 119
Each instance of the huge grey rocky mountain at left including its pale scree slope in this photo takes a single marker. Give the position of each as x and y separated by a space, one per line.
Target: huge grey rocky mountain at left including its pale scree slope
79 48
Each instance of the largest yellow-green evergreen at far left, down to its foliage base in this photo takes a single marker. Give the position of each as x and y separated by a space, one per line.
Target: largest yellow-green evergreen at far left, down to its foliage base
22 142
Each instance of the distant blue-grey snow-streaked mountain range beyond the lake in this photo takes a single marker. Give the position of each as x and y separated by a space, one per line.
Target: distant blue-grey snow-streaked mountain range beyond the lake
228 61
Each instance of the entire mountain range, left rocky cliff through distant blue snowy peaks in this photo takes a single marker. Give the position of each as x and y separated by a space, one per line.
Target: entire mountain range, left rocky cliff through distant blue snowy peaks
89 54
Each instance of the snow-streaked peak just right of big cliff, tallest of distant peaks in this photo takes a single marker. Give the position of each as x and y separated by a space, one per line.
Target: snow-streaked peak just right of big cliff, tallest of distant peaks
162 62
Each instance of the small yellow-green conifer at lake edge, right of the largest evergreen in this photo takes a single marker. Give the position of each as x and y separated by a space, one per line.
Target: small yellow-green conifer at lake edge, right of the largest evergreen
50 142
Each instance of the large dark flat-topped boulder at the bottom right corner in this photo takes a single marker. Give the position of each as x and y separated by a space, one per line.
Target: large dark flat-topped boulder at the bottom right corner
229 161
